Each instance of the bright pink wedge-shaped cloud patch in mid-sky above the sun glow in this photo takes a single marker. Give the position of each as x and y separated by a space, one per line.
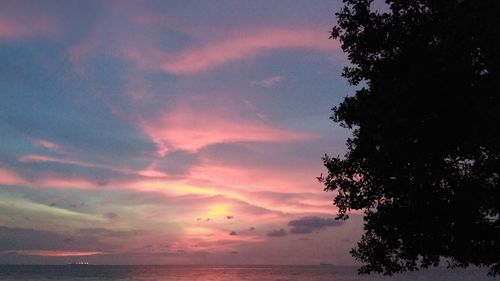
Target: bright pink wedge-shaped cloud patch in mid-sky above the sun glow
192 128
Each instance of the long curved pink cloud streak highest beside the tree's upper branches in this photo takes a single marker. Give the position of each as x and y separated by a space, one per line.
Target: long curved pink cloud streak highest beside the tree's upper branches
244 45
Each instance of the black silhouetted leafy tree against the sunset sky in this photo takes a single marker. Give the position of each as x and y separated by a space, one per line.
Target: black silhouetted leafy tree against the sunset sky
424 159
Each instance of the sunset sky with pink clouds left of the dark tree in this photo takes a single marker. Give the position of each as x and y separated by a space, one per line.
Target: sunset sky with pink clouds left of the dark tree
183 132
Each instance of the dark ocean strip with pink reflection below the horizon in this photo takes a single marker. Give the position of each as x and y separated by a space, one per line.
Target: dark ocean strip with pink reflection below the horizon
223 273
